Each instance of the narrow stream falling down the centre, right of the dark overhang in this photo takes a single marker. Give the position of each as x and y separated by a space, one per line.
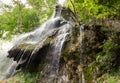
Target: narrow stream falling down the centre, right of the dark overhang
57 50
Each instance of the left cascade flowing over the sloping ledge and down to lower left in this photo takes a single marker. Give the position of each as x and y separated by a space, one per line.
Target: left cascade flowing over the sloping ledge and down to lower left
32 38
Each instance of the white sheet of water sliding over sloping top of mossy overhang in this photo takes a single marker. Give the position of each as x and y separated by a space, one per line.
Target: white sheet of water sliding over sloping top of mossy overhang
40 33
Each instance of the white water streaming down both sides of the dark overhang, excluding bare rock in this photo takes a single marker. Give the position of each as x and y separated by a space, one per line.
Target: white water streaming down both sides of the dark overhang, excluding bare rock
37 38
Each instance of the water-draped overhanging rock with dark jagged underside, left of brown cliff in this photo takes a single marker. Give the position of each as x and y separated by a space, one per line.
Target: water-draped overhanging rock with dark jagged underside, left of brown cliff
42 46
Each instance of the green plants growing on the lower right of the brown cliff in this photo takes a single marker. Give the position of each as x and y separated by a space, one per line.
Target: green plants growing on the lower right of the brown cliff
105 67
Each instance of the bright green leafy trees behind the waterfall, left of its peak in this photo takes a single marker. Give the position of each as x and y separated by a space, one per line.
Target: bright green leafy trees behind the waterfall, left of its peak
22 19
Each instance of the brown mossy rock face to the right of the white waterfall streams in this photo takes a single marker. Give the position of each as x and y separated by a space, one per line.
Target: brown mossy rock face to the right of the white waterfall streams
90 53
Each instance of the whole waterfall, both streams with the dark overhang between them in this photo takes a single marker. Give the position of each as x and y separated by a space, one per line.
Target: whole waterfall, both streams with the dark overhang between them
23 56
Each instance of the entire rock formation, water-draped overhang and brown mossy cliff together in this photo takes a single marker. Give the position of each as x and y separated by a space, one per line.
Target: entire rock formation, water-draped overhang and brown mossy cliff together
67 53
